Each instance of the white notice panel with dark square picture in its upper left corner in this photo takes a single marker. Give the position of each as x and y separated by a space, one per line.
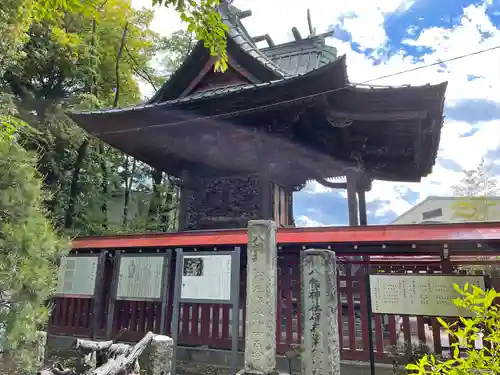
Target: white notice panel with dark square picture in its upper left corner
206 277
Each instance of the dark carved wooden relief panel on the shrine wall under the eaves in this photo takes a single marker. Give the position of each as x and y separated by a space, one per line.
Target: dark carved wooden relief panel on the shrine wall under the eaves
223 202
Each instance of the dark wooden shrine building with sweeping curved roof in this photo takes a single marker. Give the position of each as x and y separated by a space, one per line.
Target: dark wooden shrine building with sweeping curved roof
241 142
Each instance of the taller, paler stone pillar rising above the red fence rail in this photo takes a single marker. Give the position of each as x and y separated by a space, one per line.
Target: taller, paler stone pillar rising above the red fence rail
260 340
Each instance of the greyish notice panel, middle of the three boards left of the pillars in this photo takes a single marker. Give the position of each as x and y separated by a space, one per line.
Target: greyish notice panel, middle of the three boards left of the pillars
140 277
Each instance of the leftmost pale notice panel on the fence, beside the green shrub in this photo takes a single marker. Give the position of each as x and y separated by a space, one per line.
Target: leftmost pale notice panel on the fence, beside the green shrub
77 275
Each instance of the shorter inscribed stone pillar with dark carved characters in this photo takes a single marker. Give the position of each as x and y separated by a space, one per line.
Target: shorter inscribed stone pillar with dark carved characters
320 340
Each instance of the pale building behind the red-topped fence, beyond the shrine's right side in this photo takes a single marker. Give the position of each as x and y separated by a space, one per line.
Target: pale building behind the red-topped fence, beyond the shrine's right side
442 210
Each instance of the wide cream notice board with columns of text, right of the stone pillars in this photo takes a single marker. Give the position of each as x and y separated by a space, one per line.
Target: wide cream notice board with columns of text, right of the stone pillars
419 294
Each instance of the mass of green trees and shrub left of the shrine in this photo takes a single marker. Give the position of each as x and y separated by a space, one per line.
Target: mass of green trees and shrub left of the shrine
55 55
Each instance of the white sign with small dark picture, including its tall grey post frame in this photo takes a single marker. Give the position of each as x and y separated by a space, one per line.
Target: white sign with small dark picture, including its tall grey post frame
212 278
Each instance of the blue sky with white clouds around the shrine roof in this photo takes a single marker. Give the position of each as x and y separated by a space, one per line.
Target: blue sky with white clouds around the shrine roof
381 37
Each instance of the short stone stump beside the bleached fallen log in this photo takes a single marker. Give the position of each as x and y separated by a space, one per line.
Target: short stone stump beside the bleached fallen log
158 358
